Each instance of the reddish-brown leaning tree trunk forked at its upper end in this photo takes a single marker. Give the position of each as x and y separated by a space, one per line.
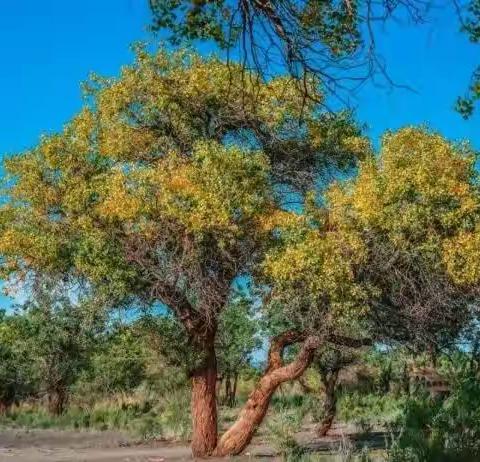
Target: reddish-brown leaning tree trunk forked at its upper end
239 435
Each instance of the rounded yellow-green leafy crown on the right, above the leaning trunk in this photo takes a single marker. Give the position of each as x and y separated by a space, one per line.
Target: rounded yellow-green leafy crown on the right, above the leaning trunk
392 251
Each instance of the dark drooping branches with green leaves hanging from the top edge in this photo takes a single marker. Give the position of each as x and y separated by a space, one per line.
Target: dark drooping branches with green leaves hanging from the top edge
331 41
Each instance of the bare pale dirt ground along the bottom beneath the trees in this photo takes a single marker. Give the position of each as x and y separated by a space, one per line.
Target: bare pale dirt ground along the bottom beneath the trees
85 446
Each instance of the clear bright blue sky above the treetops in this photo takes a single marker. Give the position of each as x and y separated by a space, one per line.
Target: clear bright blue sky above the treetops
48 47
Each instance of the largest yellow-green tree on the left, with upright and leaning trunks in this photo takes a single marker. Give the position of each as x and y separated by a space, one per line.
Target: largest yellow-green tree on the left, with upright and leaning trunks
166 188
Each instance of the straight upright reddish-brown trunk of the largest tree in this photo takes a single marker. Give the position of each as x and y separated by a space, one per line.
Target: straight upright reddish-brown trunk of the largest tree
204 405
